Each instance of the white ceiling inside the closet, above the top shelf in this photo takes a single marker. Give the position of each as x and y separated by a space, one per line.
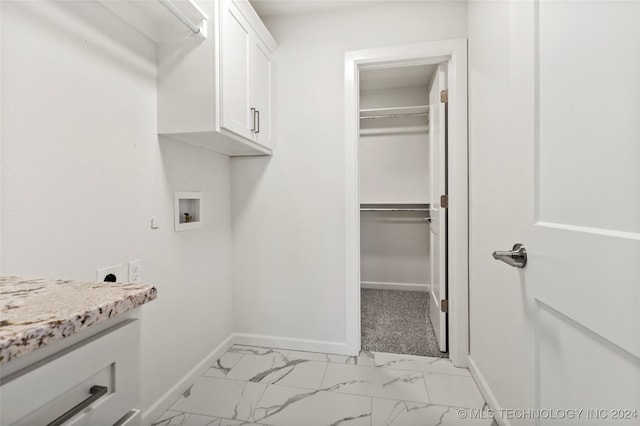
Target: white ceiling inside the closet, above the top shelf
392 78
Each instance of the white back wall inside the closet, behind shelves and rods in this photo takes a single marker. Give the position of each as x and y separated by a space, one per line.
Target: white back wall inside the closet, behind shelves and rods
393 167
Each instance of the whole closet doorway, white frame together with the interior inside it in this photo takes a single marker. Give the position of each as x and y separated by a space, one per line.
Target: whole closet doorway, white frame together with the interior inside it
406 200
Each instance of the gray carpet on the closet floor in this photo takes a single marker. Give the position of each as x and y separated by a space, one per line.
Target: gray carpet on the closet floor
398 322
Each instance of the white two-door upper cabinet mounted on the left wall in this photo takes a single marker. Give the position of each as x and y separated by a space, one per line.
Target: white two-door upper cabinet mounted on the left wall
215 91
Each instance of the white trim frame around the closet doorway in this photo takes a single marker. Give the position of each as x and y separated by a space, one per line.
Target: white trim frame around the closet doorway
454 53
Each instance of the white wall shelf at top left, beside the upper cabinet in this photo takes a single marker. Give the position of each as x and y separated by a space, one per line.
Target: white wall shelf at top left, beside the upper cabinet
161 20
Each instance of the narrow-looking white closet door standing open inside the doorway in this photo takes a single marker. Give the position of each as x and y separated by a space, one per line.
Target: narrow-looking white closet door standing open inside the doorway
438 225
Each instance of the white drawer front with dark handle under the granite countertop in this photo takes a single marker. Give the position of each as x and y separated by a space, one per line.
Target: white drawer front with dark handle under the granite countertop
41 393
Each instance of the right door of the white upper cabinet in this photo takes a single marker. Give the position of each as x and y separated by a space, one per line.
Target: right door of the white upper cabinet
261 91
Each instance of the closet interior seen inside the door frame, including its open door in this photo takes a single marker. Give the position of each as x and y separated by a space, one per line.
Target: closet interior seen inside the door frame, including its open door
402 118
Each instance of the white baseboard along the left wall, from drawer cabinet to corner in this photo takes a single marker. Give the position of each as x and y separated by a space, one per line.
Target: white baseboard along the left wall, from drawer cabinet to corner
165 401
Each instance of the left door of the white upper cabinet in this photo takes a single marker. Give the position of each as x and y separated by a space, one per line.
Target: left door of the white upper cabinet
235 113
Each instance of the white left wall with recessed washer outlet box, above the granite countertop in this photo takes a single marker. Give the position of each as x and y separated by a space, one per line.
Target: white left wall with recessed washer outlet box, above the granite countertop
83 172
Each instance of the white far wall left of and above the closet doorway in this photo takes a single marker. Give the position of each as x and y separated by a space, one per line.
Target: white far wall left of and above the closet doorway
289 210
